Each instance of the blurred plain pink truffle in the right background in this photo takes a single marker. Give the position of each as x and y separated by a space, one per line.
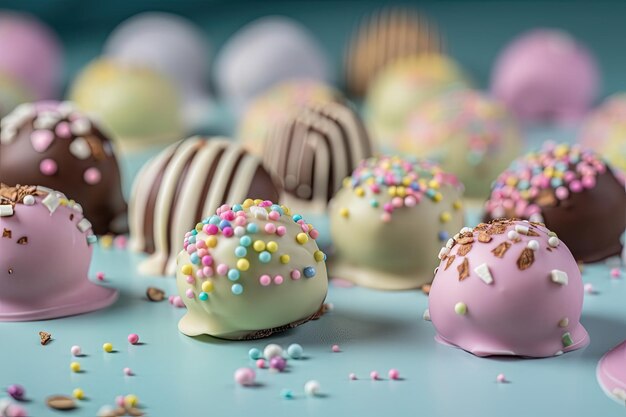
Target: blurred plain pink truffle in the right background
546 75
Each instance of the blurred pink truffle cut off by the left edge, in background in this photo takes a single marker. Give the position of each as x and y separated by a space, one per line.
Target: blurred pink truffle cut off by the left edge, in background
31 54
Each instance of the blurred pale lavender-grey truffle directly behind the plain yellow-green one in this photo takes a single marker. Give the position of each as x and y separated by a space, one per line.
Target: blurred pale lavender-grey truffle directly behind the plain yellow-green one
173 46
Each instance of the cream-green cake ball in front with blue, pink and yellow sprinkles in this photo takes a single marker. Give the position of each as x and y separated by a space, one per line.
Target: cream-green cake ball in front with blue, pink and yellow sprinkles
250 270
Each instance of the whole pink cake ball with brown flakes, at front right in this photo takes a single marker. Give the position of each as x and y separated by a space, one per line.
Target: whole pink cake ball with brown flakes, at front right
509 287
